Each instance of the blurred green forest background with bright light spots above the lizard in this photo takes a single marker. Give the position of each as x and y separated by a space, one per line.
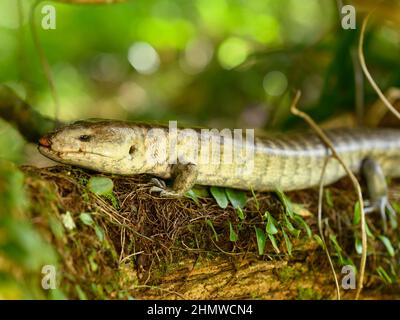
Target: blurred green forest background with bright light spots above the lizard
218 63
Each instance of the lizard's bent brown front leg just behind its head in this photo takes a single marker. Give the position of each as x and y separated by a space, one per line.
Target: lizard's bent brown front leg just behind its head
185 176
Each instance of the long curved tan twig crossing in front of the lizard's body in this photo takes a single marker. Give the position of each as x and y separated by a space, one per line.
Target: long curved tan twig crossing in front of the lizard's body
353 178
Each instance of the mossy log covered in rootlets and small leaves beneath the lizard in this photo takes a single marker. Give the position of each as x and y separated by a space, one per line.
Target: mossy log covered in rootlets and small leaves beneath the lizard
137 245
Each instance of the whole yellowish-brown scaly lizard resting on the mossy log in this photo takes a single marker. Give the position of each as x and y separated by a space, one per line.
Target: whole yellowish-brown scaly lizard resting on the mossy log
288 162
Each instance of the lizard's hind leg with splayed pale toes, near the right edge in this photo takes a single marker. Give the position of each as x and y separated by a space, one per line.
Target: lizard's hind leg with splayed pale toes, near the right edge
377 190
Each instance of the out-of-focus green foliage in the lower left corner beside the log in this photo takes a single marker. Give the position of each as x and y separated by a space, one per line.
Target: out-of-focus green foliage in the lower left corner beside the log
23 252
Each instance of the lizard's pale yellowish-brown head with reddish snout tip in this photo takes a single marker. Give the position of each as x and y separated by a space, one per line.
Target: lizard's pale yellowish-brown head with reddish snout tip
101 145
